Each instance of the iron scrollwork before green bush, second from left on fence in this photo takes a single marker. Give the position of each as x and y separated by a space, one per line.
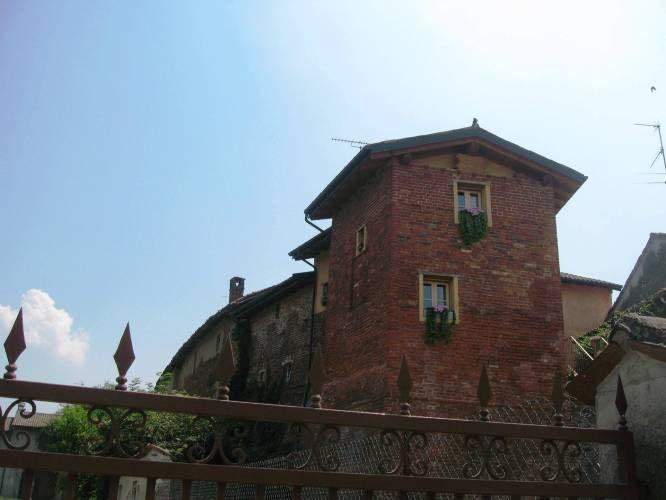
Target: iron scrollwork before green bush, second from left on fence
120 430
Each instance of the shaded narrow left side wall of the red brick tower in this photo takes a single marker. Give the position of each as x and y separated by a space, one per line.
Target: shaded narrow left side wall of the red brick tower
357 319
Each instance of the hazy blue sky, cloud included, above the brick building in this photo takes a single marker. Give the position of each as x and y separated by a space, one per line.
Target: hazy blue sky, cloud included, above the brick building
151 150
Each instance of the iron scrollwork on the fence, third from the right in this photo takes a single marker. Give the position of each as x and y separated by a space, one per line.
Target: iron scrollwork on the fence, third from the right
407 445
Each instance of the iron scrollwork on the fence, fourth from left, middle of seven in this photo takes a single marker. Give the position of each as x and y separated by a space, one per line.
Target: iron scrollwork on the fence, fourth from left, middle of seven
320 451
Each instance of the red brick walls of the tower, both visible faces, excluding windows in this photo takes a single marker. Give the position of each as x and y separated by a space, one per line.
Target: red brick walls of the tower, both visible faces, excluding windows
509 291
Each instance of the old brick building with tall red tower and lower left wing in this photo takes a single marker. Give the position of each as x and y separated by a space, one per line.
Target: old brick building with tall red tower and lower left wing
396 253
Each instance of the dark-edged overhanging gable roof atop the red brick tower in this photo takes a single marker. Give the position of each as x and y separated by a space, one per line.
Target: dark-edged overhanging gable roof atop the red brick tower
318 209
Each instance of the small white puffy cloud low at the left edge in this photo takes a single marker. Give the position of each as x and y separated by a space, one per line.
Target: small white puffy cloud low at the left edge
47 327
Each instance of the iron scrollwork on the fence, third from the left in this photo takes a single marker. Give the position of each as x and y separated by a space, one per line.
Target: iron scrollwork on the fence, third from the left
227 442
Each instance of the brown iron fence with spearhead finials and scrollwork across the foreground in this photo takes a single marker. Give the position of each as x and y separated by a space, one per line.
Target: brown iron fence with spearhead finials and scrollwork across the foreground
403 462
